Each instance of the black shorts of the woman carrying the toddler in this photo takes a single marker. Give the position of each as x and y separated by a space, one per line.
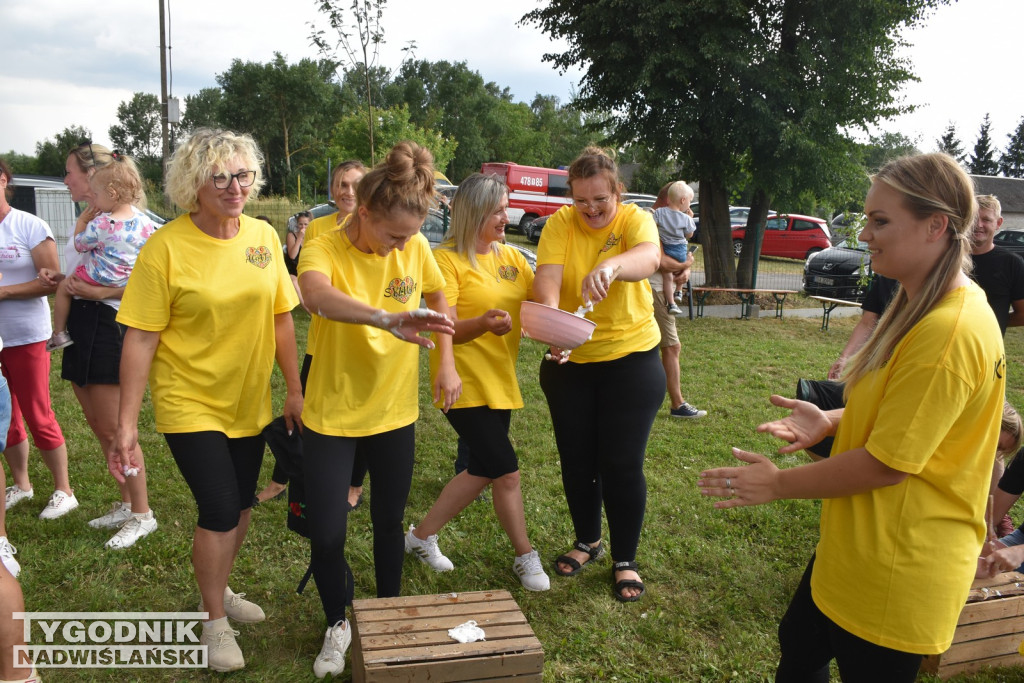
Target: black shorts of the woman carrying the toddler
96 356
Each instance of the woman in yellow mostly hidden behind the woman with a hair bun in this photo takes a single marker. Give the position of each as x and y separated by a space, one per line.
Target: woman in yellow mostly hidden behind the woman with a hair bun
345 179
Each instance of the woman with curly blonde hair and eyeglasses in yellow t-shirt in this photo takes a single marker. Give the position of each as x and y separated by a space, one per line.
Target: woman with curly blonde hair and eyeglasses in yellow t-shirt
208 310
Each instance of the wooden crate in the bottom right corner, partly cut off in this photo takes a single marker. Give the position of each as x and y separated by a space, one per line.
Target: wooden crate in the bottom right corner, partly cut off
990 631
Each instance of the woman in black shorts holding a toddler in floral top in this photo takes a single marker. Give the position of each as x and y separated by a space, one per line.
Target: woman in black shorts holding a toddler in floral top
93 363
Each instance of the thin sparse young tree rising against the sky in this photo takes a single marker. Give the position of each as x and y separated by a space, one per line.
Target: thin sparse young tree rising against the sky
365 52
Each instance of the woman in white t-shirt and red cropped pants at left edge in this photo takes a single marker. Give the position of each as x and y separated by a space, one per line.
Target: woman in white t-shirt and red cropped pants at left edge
28 245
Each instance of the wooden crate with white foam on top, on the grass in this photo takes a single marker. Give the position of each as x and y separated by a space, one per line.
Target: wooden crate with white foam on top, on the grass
406 639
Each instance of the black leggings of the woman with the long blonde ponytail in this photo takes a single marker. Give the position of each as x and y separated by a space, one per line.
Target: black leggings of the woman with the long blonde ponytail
809 641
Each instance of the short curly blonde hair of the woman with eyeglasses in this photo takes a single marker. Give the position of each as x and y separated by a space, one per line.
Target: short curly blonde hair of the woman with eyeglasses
193 163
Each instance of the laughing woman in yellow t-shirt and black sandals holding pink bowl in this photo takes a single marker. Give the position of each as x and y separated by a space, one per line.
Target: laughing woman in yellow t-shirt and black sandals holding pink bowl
605 397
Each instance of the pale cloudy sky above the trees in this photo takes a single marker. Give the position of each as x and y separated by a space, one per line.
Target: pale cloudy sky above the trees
73 63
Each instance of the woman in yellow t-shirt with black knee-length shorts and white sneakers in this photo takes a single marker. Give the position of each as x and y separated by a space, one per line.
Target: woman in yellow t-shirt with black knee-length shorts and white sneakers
485 282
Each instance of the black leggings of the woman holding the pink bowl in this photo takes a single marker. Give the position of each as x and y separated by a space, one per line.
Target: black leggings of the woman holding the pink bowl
603 414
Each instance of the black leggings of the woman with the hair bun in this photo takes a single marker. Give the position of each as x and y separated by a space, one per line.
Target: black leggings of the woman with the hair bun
328 469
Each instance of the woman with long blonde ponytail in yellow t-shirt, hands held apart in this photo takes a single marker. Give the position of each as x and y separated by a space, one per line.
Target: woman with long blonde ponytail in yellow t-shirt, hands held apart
904 516
